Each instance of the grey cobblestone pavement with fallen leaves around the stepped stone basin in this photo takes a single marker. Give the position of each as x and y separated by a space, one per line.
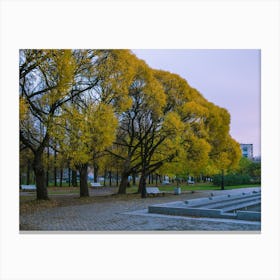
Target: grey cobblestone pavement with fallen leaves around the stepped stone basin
128 215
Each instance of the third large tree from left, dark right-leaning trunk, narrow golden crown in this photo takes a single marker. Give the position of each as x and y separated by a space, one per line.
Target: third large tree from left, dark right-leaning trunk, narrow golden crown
136 122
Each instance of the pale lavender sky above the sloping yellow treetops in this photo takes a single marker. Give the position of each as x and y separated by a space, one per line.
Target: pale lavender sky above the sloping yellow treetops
228 78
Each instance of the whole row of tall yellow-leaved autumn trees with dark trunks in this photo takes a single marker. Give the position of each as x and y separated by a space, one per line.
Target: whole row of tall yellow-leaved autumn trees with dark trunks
107 107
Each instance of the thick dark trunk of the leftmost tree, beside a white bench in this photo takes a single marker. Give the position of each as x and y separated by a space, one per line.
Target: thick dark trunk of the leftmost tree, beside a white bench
41 188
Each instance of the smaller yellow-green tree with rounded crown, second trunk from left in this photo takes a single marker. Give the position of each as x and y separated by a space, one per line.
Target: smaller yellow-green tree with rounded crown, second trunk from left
83 133
